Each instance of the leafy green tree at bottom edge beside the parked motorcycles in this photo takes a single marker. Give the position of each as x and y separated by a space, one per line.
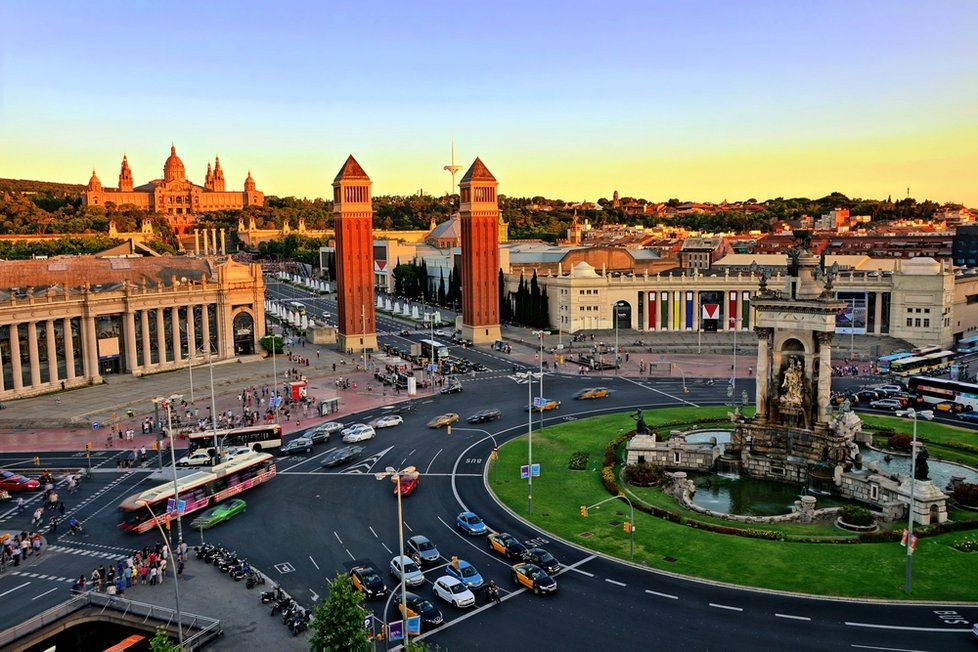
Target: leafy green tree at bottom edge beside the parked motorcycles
337 622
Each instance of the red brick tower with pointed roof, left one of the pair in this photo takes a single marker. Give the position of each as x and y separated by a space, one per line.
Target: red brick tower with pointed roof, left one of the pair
353 223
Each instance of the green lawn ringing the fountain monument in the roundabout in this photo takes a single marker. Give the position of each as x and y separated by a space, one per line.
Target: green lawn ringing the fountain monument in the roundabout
860 570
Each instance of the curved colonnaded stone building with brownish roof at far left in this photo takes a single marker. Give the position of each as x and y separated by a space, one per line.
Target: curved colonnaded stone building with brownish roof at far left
69 321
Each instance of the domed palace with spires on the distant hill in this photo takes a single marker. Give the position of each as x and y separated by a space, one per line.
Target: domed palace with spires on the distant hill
174 194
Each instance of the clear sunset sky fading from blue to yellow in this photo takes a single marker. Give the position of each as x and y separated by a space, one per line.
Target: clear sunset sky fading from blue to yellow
572 100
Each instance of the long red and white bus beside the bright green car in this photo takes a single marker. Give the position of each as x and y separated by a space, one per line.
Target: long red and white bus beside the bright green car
199 490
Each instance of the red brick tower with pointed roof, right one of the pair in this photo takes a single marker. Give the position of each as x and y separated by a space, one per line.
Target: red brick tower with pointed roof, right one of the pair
479 216
